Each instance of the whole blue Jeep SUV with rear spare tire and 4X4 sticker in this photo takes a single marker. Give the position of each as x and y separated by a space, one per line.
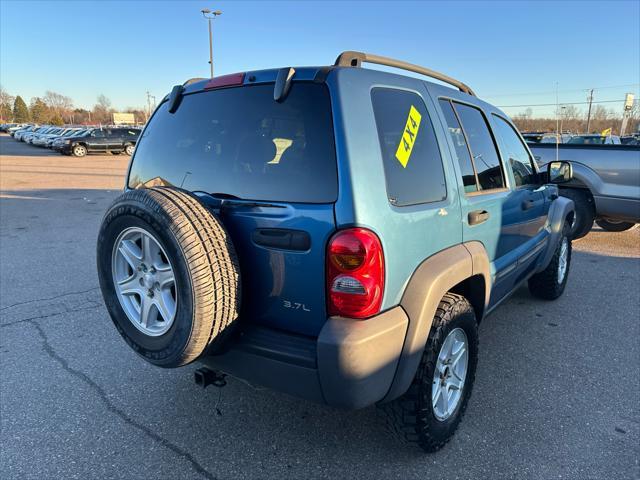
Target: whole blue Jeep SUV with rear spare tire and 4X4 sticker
335 233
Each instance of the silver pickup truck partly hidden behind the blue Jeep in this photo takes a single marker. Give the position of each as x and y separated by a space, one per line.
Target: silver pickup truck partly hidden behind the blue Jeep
605 185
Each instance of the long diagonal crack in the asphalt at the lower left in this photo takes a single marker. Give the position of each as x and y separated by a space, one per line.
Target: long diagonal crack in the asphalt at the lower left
49 350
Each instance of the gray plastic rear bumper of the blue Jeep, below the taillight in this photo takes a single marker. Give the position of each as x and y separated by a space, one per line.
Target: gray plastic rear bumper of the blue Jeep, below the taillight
351 364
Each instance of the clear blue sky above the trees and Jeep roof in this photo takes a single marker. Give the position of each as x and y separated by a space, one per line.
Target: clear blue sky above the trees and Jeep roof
511 53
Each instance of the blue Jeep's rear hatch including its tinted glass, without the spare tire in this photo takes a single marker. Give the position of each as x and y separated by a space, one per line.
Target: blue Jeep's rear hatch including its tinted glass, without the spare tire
269 169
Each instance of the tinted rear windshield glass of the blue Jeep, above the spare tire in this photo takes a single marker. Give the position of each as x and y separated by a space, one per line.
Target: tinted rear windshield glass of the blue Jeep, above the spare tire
240 142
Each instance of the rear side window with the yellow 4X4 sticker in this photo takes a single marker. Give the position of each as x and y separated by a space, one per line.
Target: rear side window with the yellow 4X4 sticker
410 154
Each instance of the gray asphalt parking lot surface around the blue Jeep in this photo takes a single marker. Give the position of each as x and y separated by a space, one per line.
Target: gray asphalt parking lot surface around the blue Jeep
557 393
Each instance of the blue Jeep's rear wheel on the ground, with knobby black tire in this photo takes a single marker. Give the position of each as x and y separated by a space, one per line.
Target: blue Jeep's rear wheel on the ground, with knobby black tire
429 413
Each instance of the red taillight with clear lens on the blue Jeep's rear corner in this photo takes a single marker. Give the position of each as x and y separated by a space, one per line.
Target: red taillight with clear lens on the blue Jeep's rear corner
355 273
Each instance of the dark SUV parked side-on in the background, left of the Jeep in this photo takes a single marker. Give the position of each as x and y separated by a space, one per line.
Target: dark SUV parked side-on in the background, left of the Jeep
101 140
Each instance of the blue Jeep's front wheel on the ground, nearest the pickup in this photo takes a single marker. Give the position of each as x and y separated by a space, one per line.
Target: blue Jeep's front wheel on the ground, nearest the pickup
551 282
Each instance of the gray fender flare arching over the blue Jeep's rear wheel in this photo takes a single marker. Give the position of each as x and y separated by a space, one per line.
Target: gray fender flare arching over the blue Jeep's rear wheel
429 283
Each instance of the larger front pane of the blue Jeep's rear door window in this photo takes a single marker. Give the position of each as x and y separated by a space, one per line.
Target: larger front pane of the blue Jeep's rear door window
485 155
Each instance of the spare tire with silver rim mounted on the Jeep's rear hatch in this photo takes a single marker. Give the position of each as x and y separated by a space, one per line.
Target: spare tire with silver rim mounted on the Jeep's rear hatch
169 275
